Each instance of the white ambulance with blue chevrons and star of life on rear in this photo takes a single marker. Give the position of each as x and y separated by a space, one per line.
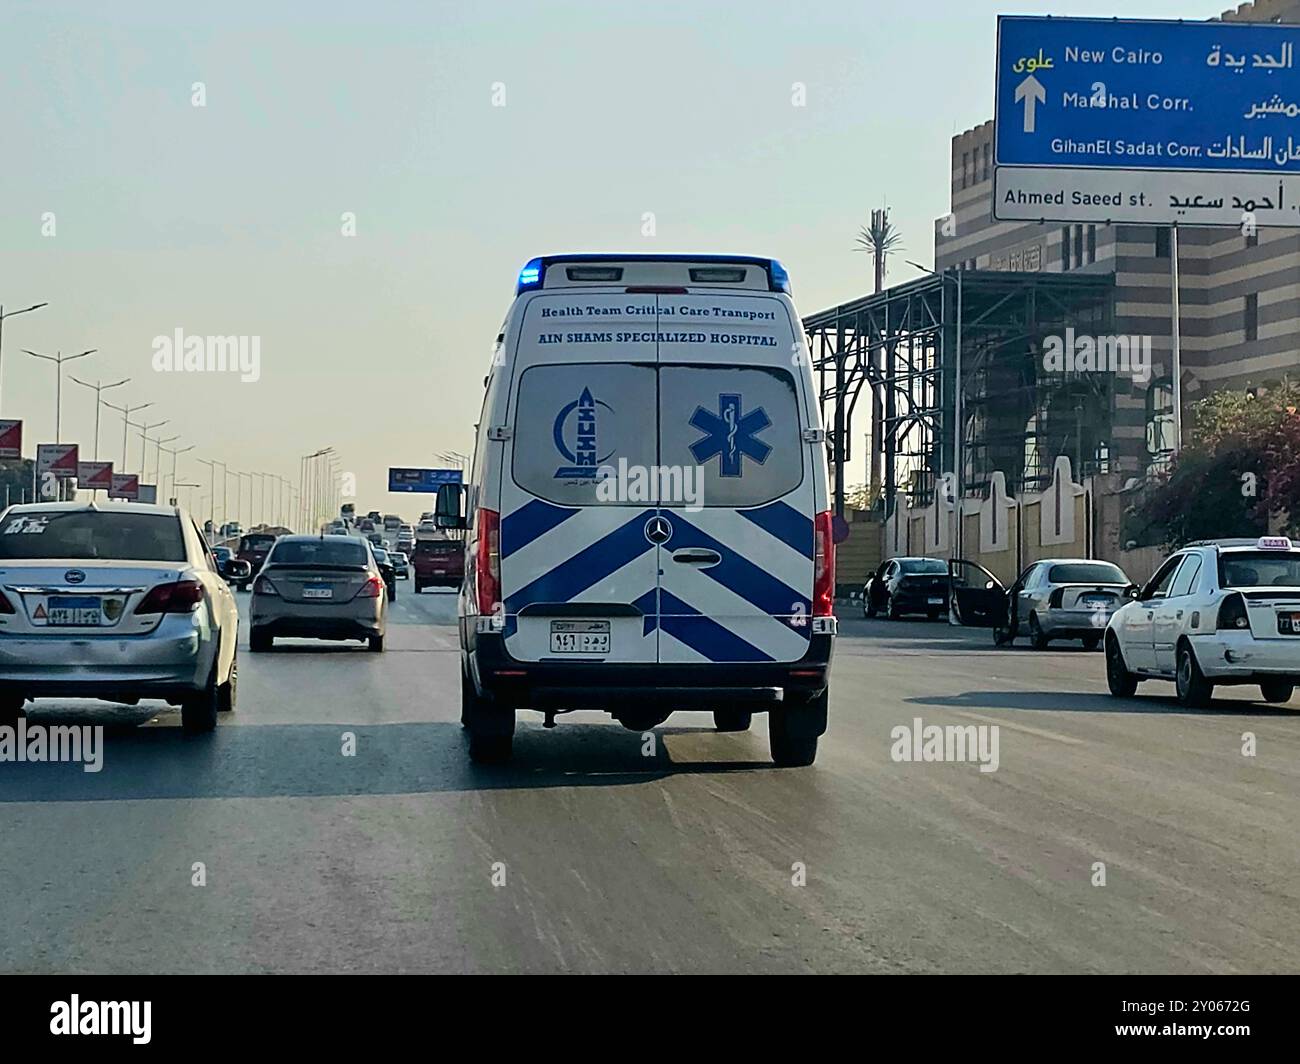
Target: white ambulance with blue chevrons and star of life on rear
648 514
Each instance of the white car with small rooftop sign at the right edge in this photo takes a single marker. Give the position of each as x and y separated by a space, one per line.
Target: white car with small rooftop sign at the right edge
1215 613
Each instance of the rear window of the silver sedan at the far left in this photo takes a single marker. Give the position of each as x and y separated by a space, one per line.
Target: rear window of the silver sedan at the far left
93 534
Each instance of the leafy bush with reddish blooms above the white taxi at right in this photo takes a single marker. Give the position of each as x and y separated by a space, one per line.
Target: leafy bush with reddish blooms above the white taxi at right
1238 472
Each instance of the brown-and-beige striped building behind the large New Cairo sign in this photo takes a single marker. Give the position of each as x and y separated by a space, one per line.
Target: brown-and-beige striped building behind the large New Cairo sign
1240 292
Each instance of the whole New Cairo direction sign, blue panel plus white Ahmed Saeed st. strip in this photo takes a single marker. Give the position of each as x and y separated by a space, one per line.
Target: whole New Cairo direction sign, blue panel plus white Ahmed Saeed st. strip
1142 122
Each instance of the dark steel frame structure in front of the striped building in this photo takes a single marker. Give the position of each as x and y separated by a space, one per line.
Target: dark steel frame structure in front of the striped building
1016 416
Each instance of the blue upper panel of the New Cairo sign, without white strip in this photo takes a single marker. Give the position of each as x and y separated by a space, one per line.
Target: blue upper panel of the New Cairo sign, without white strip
1149 96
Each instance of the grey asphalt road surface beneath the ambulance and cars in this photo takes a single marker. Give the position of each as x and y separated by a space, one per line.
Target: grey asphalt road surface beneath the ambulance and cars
683 862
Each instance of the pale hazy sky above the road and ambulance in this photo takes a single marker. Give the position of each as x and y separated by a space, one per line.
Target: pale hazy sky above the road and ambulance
227 219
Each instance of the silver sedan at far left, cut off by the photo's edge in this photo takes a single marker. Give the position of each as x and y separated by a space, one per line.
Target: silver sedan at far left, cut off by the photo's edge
114 602
